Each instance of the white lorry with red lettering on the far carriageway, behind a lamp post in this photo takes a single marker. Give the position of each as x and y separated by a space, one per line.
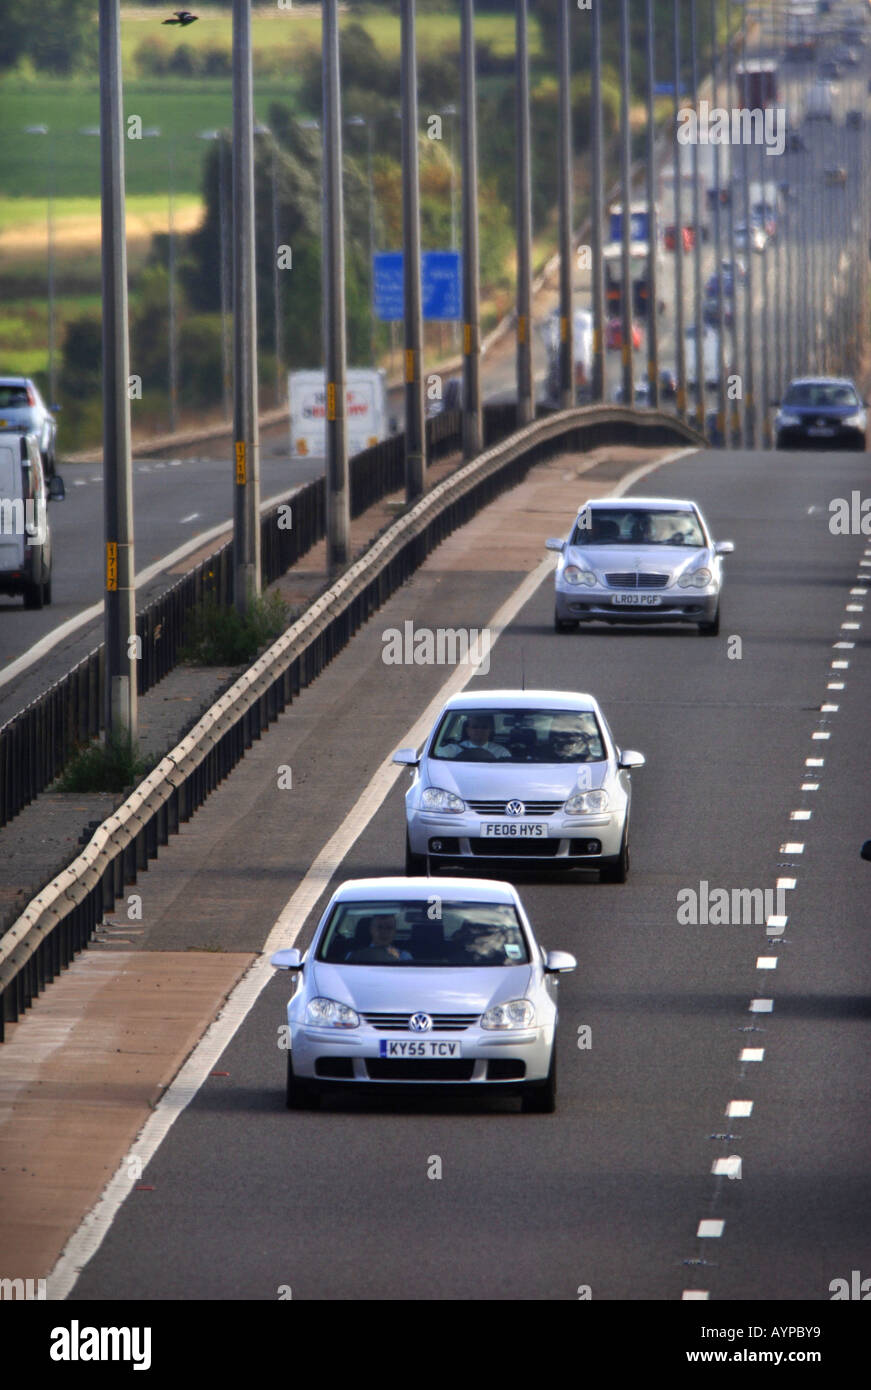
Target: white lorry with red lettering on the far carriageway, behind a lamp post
366 411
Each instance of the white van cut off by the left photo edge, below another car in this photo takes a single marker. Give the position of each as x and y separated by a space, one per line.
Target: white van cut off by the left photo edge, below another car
26 537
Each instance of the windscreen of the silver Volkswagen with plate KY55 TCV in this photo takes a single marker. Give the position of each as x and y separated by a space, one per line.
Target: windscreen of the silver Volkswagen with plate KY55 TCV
430 932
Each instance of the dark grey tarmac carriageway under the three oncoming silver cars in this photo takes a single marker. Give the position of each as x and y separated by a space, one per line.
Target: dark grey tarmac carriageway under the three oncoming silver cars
611 1191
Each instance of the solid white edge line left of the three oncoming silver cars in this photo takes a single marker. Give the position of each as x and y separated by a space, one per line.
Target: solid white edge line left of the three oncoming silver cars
87 1241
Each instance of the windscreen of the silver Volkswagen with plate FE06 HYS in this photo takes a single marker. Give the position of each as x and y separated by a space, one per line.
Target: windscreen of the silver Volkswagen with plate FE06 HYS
515 736
